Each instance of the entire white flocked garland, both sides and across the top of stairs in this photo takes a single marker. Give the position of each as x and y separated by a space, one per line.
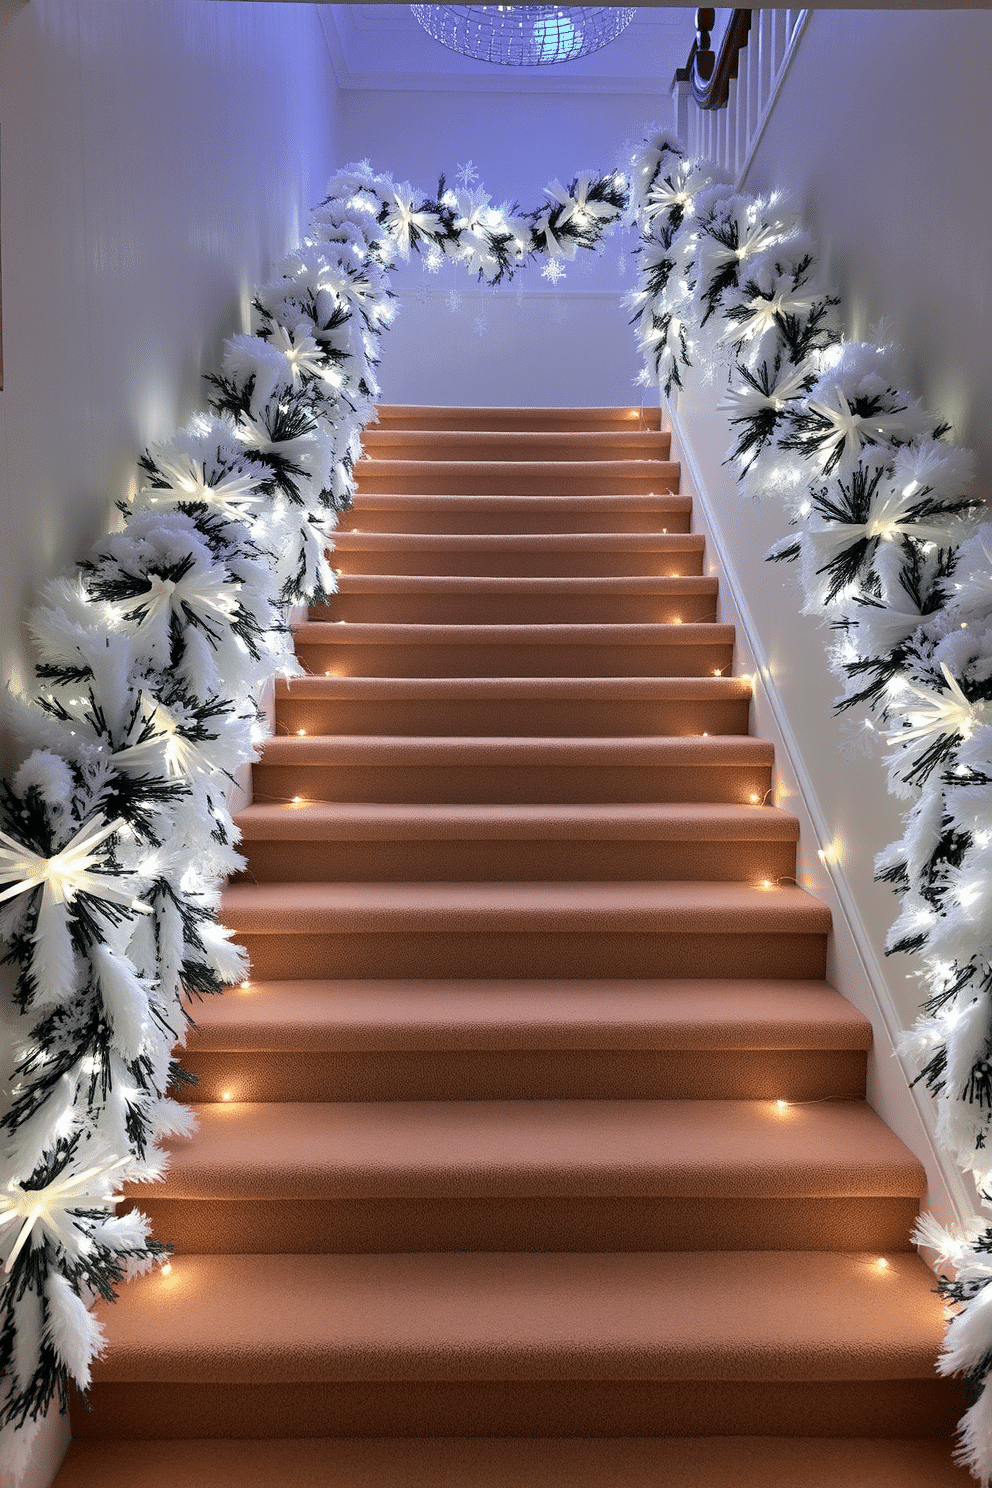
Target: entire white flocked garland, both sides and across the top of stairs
115 833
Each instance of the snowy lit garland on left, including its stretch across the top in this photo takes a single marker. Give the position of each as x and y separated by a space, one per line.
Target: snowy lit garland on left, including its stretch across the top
115 834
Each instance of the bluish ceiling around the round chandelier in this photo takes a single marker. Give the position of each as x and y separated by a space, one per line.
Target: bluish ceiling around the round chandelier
381 47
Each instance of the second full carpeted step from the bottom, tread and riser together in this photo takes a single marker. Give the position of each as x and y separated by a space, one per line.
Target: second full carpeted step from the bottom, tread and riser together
564 1176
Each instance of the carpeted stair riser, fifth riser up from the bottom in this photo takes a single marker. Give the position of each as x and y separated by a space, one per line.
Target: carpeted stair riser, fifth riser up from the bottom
493 861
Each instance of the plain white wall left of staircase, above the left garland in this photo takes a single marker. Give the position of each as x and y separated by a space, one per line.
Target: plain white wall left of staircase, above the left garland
157 160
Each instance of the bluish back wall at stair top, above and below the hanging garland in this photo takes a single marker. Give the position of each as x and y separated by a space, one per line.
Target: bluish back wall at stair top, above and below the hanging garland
567 346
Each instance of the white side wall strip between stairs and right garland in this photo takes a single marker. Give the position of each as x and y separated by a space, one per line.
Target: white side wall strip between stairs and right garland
838 794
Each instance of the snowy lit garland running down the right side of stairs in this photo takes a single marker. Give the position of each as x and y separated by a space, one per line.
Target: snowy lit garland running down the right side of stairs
895 557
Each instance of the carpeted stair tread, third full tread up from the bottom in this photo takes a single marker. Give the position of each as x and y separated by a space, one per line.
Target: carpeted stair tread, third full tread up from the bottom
431 1016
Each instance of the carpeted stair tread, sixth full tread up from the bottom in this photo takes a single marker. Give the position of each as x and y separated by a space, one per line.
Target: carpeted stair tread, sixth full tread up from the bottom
496 754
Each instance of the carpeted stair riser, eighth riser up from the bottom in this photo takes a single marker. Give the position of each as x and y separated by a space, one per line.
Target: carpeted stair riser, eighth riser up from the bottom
500 660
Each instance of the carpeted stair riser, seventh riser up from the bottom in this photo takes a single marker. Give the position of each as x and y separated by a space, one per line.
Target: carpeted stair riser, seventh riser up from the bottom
512 718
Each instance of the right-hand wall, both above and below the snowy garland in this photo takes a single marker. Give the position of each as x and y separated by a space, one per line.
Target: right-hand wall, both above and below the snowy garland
881 132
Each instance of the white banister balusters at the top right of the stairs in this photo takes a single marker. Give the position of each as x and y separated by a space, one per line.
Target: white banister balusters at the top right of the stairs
729 135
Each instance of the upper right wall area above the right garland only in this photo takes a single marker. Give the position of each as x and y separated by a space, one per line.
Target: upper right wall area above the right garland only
883 133
